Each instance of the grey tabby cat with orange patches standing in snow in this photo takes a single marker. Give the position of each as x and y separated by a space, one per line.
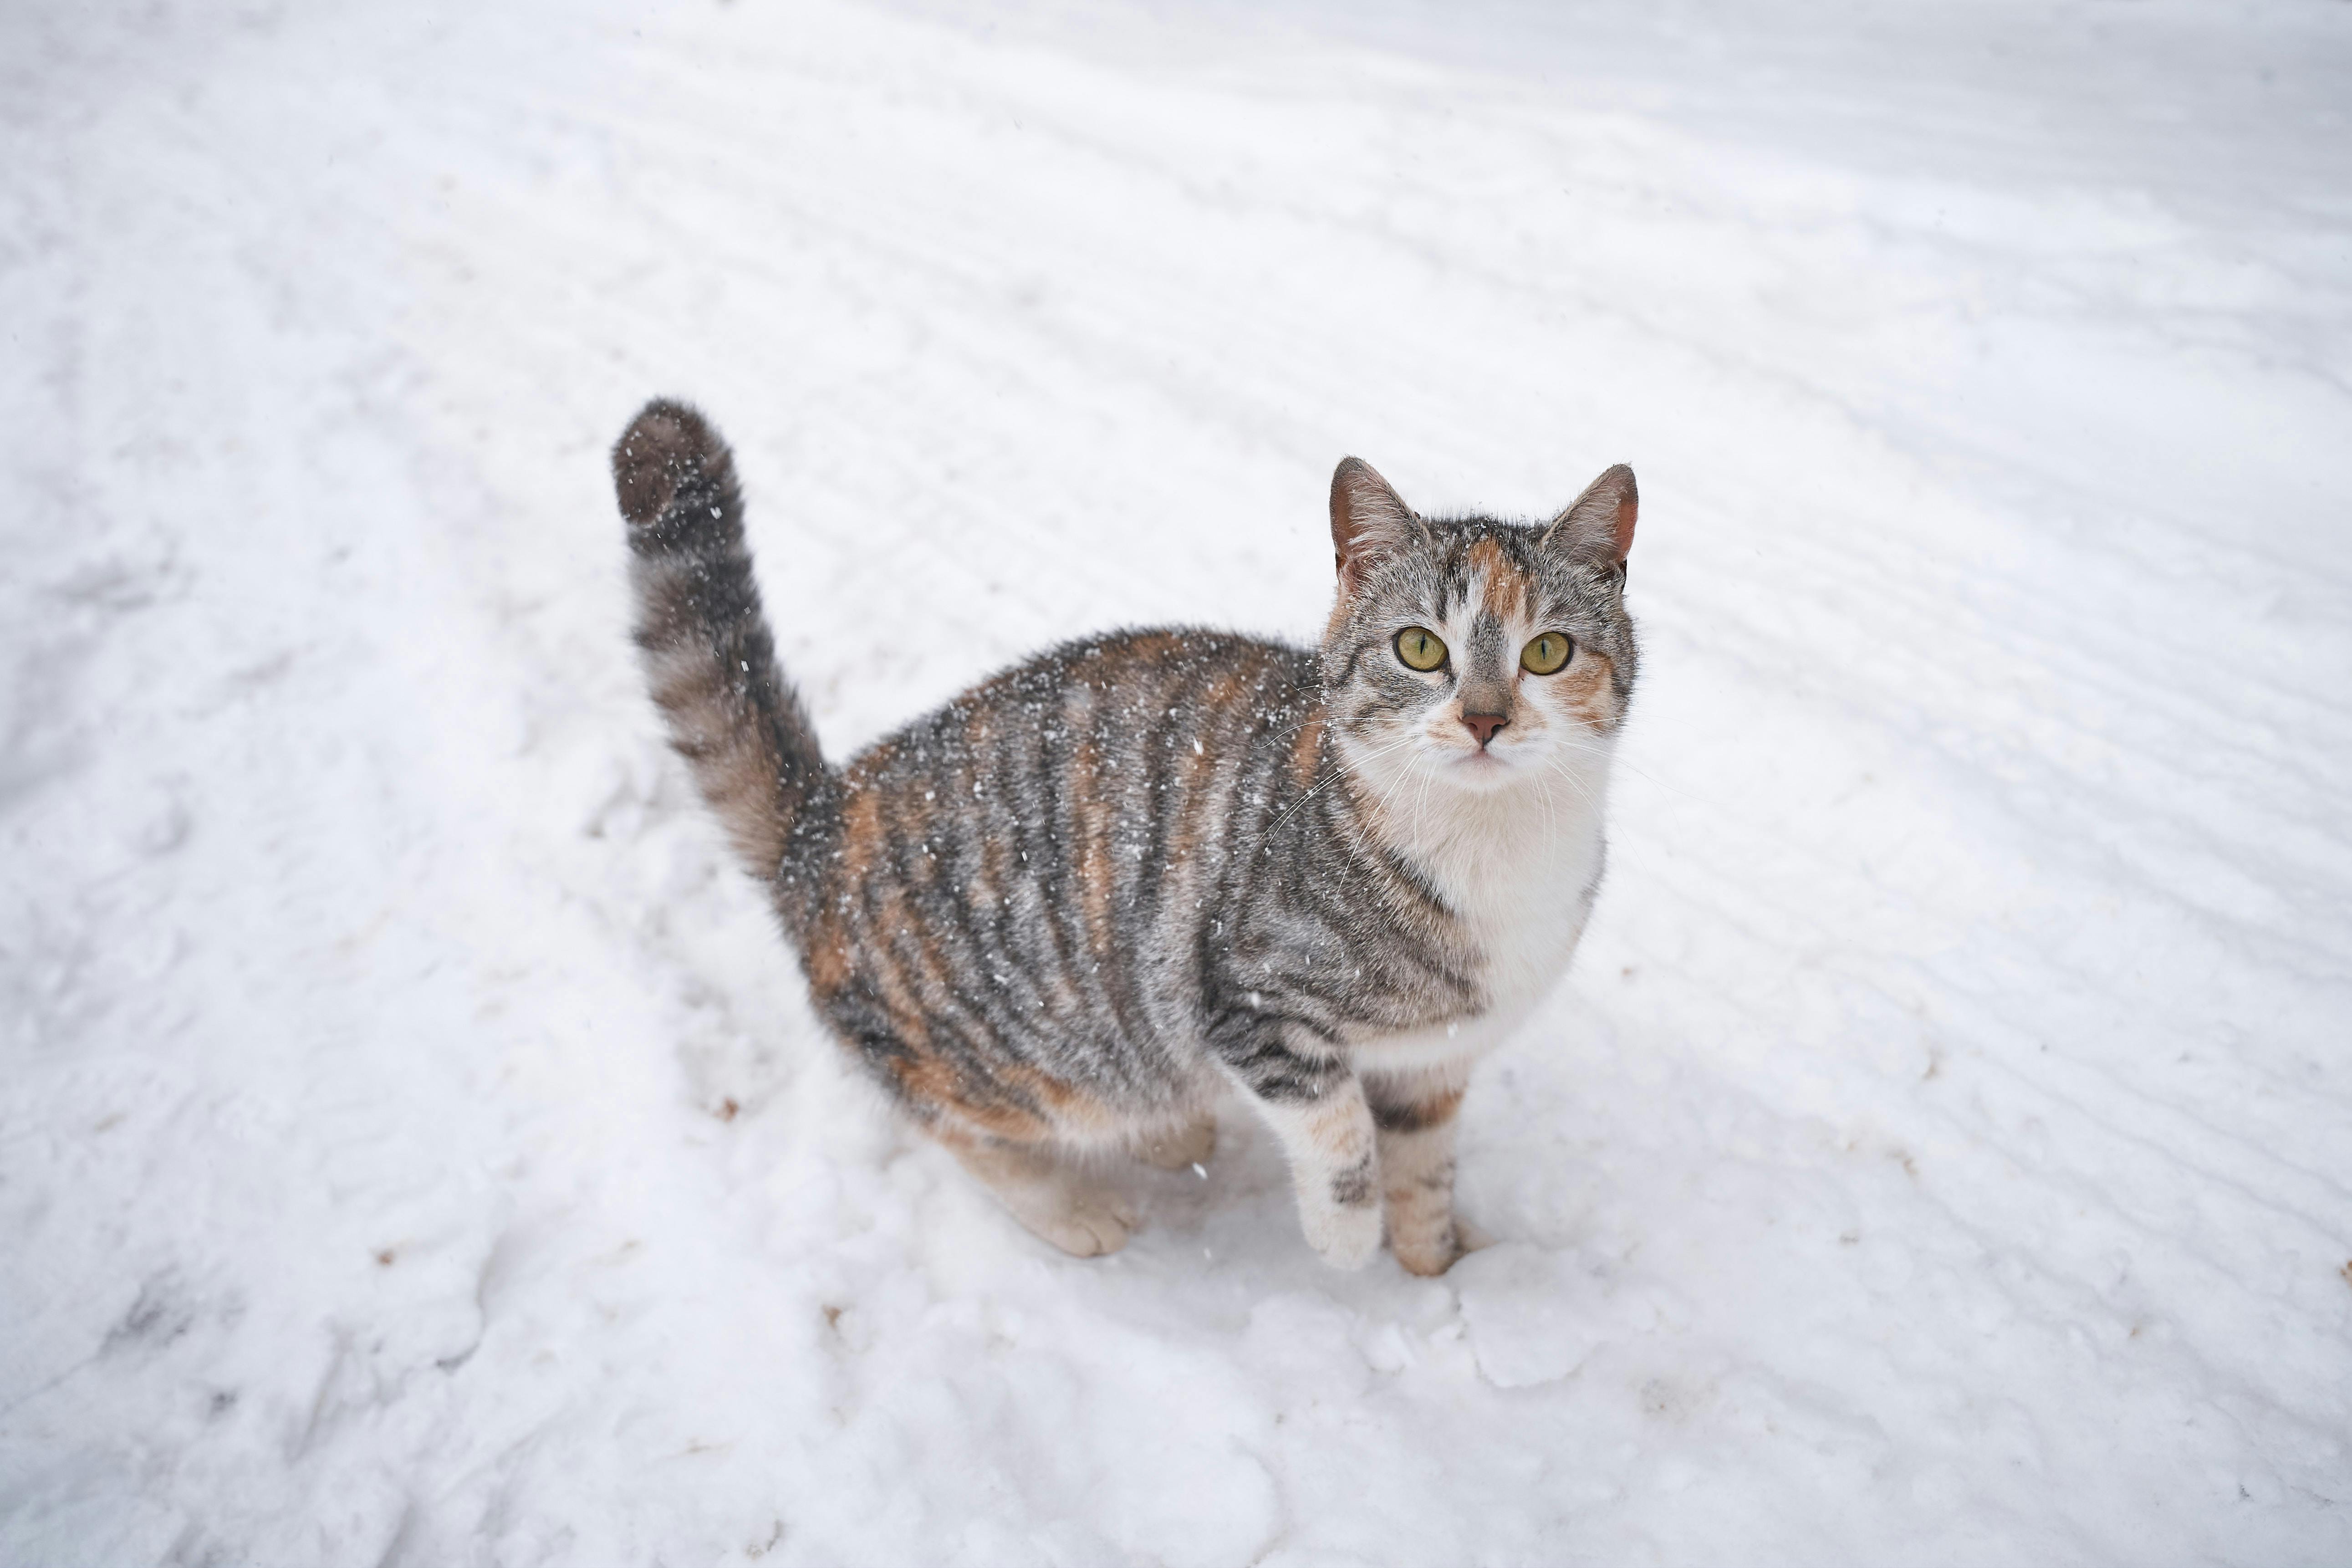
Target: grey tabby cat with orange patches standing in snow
1095 892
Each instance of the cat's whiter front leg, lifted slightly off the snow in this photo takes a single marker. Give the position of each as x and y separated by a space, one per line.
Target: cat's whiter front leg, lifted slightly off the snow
1311 1099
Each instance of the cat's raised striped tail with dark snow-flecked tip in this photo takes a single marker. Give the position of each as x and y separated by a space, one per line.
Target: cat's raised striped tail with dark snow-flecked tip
707 648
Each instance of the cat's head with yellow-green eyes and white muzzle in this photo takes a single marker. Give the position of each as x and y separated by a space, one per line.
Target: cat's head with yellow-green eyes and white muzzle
1478 652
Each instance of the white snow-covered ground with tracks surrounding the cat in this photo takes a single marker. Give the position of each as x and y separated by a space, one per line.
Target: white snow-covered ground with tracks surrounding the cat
415 1146
